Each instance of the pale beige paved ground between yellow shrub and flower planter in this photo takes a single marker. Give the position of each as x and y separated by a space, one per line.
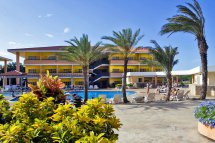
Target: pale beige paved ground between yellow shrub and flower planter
171 122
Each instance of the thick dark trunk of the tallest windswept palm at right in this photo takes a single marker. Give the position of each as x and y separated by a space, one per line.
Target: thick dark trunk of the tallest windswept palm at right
203 47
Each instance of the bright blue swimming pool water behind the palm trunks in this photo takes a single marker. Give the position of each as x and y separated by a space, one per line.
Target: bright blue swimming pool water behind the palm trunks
95 94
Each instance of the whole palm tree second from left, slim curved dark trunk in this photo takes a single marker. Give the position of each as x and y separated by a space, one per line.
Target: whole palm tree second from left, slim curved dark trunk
123 42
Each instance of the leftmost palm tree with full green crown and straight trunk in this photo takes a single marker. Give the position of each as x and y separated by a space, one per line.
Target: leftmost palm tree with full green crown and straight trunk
82 52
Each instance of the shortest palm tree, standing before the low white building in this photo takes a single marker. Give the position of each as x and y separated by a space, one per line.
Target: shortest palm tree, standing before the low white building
165 58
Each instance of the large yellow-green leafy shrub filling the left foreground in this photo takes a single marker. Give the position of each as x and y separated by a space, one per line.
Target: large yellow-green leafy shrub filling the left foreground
44 121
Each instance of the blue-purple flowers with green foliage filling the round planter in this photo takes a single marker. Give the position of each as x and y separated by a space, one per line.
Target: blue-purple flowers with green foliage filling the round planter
205 113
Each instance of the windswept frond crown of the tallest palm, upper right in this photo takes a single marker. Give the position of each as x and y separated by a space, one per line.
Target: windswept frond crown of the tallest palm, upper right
189 19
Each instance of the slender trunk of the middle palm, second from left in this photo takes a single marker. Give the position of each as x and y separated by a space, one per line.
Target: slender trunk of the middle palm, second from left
125 100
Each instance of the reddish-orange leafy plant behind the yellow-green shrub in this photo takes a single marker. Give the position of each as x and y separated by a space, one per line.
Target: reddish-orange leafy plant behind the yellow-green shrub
49 86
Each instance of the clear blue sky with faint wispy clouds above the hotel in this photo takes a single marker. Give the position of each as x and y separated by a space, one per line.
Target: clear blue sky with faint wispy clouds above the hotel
31 23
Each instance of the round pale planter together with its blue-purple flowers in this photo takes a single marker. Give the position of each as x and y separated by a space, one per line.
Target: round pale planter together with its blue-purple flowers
205 114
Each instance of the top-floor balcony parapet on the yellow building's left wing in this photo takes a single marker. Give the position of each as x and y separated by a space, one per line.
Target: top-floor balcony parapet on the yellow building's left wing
48 62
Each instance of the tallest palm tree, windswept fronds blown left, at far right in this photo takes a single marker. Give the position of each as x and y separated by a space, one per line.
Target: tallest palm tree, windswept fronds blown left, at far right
191 20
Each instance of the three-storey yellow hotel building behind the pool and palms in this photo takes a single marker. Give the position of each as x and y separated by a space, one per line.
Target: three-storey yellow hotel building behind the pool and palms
104 73
